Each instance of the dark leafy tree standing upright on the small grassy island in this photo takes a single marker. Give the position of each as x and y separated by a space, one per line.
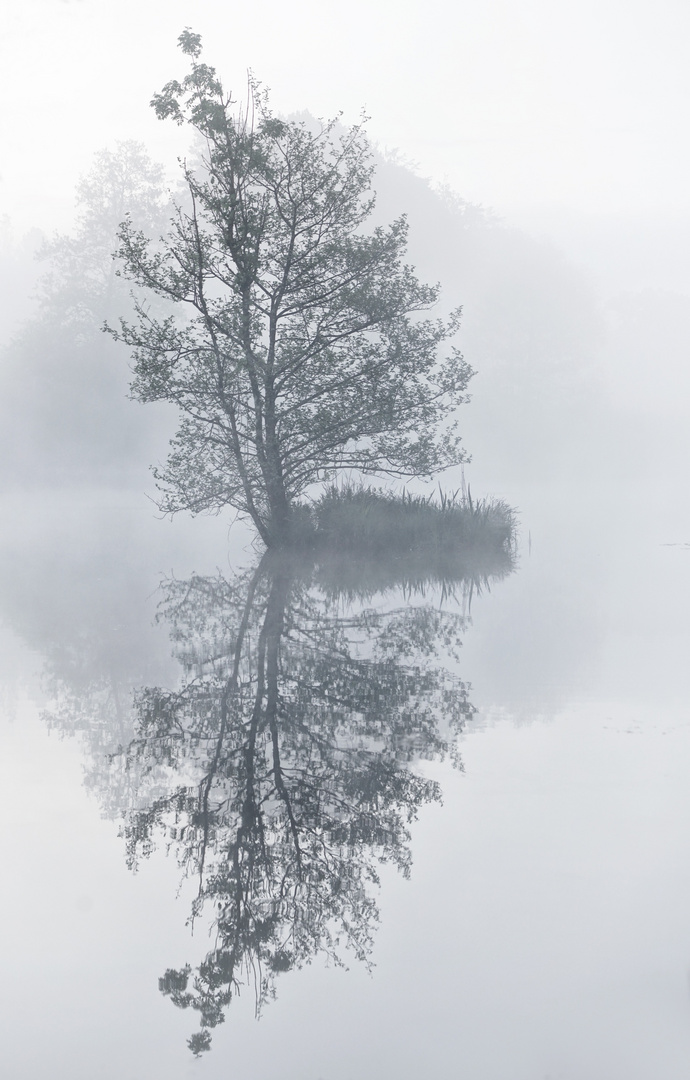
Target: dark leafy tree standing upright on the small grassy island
294 346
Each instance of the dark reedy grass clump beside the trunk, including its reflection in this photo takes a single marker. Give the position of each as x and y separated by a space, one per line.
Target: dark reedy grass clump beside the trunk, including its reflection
367 541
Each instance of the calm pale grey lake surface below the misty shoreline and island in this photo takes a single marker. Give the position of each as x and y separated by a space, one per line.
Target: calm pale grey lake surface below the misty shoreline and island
545 928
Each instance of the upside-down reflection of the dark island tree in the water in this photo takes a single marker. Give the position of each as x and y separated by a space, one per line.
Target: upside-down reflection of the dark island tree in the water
282 772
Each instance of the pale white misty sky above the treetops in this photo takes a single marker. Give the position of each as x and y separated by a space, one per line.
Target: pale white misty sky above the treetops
517 105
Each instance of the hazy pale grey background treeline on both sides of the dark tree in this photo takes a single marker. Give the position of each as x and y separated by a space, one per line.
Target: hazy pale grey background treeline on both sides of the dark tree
581 360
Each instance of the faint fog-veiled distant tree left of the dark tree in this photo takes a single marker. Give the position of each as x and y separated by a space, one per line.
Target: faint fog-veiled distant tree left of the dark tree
64 409
